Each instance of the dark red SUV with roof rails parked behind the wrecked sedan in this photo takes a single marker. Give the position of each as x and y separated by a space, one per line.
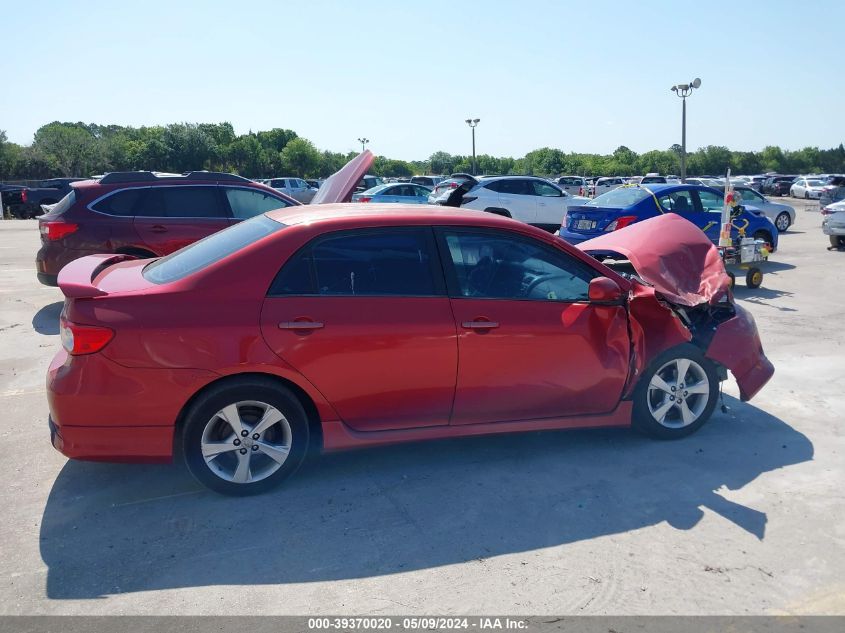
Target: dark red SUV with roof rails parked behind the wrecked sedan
146 214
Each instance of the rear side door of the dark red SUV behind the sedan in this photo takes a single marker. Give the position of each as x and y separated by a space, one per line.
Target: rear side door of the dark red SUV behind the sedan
170 217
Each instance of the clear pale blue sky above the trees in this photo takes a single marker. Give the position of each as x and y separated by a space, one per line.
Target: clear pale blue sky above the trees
581 76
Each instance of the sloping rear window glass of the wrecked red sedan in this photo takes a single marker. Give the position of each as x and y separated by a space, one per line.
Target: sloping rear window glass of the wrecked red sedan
213 248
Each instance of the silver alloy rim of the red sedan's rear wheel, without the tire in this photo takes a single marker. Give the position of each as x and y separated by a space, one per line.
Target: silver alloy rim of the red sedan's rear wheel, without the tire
246 441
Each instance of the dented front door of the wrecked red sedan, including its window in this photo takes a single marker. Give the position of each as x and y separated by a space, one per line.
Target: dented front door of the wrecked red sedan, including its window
530 344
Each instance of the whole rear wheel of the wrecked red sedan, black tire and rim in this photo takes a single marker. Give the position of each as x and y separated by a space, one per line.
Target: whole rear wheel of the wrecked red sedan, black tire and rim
245 436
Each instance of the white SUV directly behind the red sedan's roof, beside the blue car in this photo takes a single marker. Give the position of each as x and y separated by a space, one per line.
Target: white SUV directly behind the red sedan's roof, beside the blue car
525 198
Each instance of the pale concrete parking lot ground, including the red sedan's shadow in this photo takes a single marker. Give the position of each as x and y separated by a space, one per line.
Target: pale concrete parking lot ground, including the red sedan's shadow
746 516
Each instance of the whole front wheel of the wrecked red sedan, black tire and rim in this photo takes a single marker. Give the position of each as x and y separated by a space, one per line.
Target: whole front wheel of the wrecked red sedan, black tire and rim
665 407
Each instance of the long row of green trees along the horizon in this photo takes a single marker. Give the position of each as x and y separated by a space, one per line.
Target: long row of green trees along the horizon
84 149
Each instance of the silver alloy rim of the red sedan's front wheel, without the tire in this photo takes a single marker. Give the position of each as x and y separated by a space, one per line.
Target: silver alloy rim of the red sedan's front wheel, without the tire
678 393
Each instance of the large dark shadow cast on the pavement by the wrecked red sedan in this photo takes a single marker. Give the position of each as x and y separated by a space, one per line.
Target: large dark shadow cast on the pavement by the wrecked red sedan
111 529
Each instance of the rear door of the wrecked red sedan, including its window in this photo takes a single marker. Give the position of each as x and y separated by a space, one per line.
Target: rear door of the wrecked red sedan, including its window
364 316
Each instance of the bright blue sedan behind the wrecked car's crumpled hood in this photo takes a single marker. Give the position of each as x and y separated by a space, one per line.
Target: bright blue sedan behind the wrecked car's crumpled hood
625 205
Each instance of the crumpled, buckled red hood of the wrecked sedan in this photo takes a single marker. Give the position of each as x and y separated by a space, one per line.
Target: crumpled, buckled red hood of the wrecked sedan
671 254
